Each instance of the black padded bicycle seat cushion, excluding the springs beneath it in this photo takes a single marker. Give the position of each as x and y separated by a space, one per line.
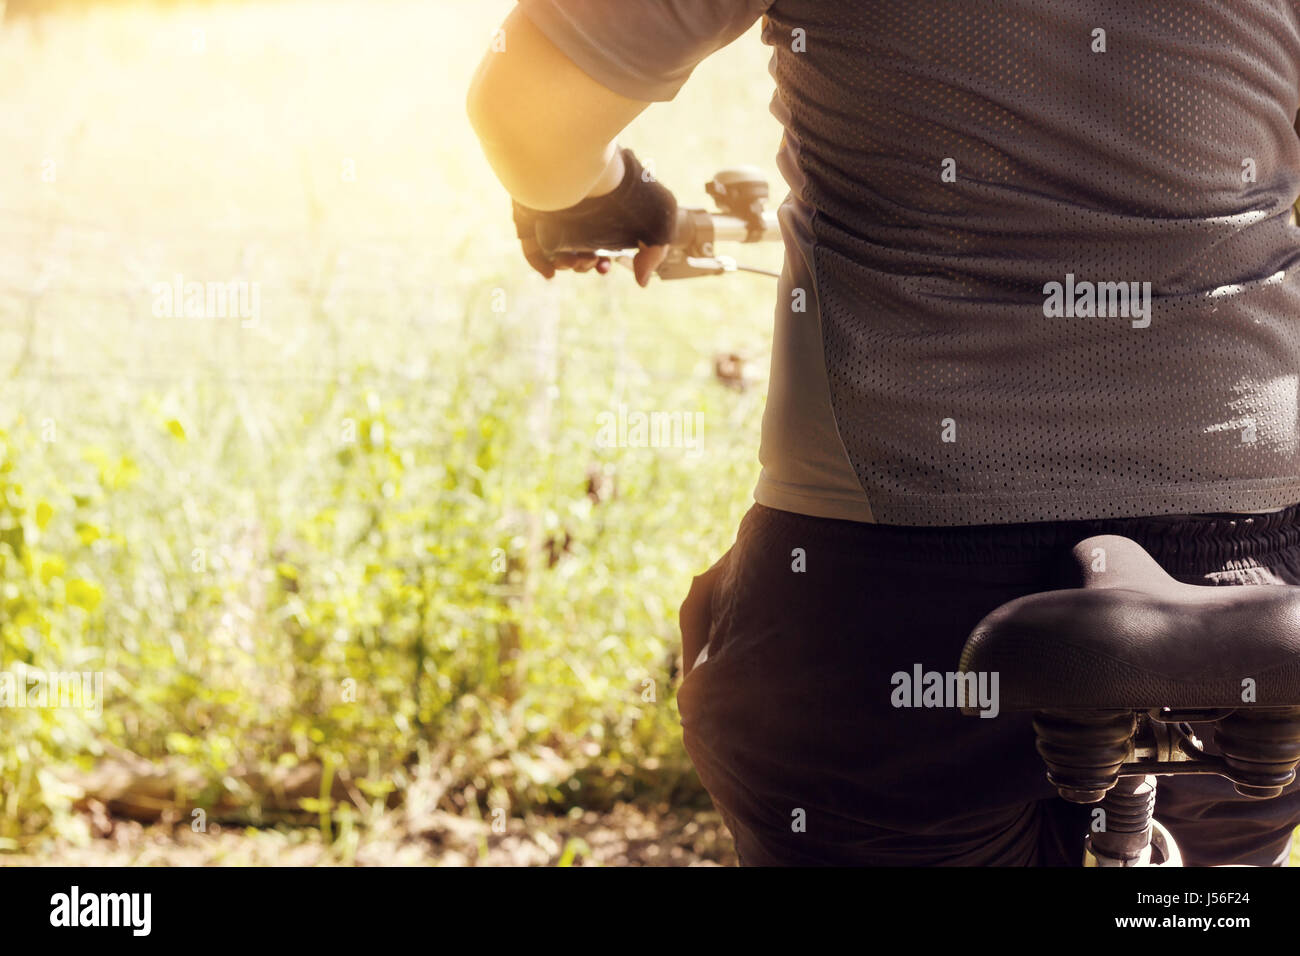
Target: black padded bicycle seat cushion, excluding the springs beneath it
1132 638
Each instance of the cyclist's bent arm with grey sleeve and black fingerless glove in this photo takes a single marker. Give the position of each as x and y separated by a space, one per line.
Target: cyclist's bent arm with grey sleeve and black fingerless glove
571 77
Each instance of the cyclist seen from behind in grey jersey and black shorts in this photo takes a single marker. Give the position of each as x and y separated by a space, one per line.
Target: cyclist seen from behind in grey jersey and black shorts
1041 284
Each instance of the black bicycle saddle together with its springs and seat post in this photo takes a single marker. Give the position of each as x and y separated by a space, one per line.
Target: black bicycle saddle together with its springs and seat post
1119 669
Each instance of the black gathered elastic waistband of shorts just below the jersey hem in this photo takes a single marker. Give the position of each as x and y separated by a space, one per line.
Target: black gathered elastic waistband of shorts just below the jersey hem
1182 544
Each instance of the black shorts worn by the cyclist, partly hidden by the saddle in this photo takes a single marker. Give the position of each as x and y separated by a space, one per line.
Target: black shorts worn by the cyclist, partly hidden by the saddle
790 721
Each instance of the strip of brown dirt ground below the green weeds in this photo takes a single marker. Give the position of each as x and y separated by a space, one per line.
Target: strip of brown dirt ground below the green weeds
625 837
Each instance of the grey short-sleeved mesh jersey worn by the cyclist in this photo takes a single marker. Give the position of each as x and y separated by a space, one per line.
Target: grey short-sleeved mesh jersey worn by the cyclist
1048 249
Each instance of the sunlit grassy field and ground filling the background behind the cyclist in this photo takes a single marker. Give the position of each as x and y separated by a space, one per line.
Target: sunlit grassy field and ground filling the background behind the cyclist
362 581
